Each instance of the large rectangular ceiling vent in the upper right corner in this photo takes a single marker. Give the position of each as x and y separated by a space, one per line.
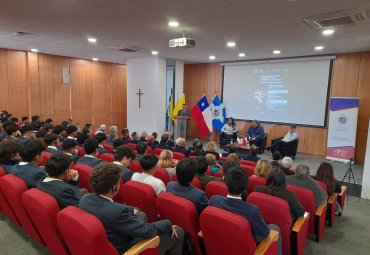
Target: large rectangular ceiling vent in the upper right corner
340 18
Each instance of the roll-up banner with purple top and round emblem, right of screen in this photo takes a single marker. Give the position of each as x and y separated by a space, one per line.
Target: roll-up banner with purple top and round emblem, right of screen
342 129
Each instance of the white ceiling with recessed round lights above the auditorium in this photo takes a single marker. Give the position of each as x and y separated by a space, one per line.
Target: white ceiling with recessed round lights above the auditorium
61 27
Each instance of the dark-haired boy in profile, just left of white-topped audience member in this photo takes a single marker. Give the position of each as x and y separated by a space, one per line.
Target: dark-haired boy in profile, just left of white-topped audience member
123 156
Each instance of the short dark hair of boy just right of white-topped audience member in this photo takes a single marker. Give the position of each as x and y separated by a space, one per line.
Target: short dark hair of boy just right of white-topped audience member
186 170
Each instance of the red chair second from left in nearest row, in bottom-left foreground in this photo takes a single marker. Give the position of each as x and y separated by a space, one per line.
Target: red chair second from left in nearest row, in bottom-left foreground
42 209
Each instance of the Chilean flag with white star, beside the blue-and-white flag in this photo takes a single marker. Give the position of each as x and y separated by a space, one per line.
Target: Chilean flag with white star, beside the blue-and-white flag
201 114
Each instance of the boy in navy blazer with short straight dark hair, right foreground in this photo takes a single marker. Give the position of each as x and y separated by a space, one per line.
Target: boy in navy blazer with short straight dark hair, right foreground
236 181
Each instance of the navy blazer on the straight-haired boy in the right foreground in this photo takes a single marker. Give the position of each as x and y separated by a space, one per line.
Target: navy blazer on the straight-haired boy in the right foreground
250 212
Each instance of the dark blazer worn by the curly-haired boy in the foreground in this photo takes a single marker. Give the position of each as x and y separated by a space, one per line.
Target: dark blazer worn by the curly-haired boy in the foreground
122 228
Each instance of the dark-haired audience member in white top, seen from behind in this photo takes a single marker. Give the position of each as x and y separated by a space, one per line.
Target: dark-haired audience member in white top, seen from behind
148 164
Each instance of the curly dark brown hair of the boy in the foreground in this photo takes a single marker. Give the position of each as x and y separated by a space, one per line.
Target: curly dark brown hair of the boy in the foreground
104 177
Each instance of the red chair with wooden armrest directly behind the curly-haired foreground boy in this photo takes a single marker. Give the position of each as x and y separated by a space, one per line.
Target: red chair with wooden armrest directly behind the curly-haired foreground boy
85 234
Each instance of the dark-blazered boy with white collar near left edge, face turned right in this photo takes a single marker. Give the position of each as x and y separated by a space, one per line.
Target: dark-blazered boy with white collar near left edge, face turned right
28 170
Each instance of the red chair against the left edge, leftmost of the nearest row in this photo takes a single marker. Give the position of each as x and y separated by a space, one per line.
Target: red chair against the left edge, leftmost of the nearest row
13 188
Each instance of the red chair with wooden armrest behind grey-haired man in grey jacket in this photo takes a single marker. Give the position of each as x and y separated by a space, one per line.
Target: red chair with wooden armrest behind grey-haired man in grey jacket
317 215
